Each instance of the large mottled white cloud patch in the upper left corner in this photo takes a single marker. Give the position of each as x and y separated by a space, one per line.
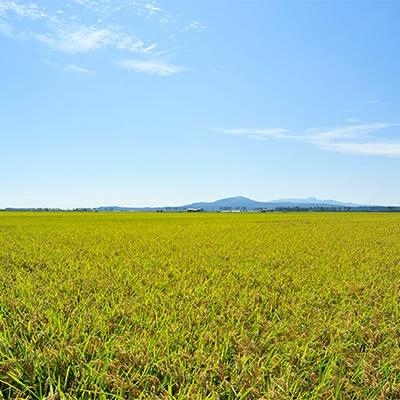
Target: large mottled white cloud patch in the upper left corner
63 29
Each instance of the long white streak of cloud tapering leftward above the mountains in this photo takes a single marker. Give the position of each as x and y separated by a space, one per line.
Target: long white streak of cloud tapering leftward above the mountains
350 139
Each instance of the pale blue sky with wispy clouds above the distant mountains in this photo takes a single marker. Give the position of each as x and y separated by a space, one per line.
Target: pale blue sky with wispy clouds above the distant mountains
153 103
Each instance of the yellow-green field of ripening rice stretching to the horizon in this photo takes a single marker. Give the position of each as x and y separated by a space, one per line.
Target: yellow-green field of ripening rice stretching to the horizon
199 306
